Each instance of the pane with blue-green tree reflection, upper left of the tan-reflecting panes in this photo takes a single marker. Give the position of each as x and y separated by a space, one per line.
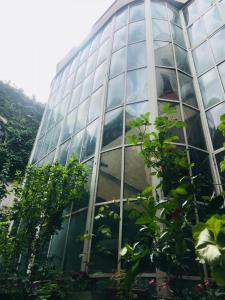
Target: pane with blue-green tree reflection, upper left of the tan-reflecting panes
90 140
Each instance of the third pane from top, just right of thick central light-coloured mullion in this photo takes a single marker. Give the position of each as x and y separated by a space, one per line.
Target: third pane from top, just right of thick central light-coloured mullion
163 54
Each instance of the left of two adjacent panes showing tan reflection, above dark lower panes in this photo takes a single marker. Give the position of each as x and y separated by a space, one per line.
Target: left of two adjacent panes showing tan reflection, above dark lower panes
109 176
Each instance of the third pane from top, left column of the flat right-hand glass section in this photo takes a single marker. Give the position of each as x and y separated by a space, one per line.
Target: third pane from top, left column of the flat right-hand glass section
202 62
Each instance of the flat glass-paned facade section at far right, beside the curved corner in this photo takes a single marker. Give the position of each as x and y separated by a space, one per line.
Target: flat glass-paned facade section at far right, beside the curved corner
205 21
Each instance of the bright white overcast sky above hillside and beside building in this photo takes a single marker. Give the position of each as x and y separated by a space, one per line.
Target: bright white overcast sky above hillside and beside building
36 34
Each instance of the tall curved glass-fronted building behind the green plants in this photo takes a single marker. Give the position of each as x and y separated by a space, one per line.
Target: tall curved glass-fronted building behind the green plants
139 55
